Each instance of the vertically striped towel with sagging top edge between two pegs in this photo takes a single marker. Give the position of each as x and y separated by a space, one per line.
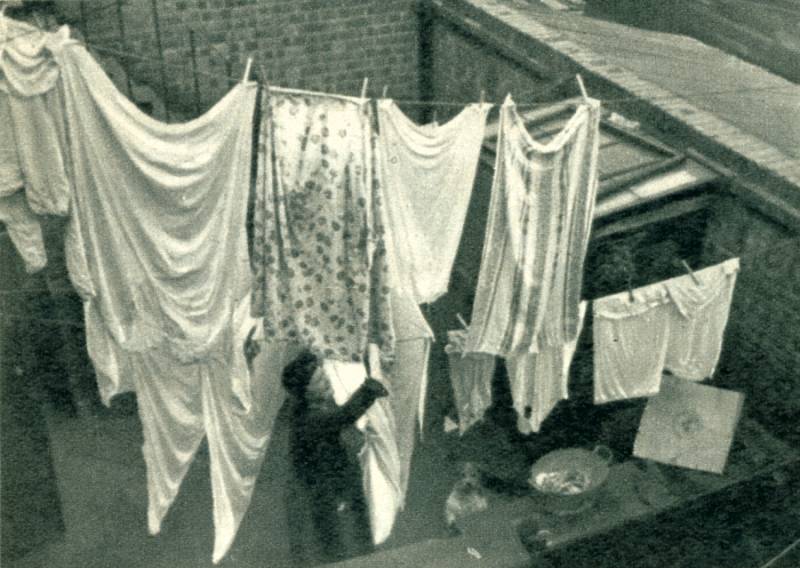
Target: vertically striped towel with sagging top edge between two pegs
537 232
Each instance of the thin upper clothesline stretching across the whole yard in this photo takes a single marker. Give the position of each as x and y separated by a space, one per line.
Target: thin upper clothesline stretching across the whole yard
434 103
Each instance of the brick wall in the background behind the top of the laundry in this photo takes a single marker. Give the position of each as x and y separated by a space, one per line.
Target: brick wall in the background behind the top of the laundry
311 44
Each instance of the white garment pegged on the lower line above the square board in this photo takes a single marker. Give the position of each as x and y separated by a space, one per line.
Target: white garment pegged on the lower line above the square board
675 325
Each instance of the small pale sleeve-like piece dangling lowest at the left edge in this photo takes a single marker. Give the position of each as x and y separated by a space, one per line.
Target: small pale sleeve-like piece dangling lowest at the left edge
24 230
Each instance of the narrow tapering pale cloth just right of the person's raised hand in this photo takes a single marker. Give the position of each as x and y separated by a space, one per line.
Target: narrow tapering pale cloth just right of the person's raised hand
409 378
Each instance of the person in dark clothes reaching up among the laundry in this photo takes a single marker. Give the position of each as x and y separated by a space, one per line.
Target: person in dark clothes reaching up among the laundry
327 512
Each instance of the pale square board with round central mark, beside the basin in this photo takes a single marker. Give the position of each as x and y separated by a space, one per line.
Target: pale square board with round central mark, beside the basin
689 425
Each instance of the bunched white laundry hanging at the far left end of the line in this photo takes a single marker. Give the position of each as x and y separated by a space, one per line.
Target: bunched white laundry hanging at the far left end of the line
34 173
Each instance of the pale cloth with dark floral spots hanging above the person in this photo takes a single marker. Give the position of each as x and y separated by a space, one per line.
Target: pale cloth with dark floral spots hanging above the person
321 276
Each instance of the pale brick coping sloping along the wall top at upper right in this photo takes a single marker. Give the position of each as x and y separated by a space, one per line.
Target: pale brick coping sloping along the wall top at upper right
766 176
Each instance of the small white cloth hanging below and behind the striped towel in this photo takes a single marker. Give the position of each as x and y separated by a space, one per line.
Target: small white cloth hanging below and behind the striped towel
539 381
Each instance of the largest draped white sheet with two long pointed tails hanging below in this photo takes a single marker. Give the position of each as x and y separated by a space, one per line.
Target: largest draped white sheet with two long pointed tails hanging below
161 211
